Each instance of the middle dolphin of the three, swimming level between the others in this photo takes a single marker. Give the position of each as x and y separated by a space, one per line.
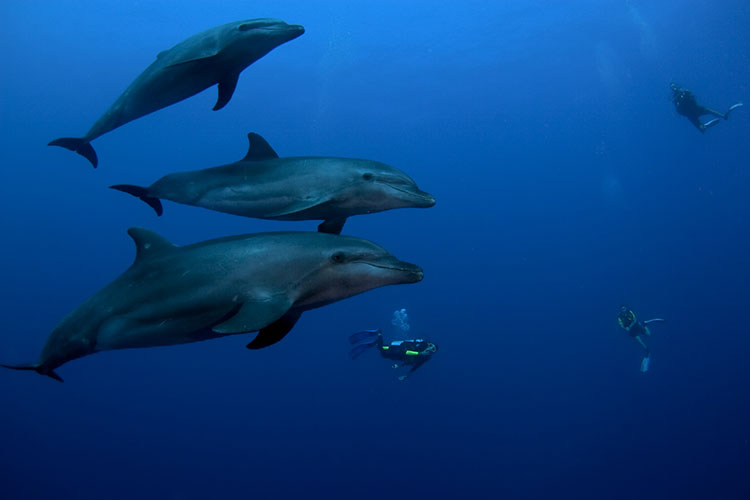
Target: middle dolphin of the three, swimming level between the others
264 186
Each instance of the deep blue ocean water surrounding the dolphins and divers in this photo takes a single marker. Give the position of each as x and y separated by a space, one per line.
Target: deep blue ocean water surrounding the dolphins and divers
566 185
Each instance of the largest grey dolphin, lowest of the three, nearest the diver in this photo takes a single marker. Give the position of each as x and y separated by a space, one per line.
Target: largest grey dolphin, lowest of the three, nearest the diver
174 295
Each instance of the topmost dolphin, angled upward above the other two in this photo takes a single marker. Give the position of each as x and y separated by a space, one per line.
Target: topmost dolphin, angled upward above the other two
215 56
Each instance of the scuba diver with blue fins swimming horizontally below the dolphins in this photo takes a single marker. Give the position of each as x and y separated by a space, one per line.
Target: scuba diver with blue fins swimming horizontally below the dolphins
405 353
